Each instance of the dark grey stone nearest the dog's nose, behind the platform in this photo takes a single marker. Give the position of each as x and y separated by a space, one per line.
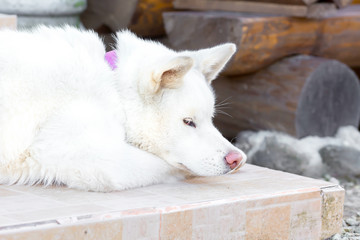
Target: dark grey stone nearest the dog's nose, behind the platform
280 156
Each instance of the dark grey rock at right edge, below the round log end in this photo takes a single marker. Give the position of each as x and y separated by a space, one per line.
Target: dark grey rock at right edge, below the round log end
341 161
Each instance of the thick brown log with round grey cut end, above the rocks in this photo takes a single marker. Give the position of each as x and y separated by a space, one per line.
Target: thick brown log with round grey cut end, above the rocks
301 95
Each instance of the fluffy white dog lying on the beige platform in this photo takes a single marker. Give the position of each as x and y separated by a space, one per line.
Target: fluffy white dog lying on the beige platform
67 118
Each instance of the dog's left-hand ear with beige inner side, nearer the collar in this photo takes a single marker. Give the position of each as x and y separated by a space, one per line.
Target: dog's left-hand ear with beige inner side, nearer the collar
170 74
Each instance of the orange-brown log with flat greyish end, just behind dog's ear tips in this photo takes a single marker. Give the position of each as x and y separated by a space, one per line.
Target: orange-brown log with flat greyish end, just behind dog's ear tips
264 39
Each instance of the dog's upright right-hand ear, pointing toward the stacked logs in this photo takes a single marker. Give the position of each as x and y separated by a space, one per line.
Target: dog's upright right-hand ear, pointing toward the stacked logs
211 61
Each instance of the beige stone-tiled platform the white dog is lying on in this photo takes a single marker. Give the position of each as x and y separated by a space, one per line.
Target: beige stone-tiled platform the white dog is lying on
254 203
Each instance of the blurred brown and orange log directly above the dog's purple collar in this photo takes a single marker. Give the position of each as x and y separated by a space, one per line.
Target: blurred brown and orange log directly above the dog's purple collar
144 17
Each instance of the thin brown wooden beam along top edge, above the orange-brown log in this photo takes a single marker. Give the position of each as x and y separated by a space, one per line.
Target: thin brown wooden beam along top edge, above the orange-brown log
316 10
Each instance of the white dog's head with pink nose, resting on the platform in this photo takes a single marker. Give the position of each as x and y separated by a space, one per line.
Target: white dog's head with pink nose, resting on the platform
169 104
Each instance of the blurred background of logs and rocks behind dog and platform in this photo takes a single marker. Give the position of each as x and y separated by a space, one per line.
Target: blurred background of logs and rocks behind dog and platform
290 97
